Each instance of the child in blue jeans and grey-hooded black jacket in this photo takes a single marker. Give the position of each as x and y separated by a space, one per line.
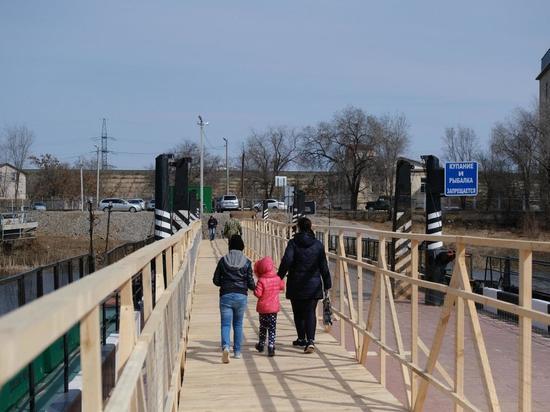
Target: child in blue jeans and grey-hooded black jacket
233 276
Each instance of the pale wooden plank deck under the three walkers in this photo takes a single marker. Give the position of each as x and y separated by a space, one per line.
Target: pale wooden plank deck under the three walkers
330 379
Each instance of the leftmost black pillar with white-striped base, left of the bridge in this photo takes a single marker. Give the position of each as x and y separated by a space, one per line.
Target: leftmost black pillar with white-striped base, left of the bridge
163 220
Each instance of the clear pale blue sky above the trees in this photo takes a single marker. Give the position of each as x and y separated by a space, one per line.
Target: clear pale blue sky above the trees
150 68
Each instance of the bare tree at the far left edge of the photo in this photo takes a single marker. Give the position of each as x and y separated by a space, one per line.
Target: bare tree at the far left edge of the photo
17 145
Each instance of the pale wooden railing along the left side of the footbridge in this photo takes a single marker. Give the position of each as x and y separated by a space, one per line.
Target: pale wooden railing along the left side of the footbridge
150 361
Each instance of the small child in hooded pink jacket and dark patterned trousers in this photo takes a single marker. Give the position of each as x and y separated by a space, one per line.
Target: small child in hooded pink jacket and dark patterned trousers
267 291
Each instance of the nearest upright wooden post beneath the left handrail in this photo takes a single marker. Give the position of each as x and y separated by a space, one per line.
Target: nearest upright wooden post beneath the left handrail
90 362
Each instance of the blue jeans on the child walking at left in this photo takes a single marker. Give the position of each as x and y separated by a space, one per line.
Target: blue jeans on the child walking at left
232 307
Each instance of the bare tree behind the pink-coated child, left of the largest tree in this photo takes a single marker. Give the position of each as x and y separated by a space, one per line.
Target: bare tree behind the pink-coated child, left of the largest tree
268 153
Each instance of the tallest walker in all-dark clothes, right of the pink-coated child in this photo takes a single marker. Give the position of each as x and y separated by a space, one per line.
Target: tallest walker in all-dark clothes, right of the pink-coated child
305 262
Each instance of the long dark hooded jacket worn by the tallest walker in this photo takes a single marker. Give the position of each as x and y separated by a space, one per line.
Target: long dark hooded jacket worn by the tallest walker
305 262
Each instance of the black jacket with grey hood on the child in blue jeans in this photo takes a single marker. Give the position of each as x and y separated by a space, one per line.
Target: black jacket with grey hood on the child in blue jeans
234 274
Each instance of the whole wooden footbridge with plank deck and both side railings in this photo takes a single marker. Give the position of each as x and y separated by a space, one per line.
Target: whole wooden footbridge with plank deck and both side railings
382 354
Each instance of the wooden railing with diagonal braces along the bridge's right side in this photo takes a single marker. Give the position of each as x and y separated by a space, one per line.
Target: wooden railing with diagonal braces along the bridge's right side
348 298
